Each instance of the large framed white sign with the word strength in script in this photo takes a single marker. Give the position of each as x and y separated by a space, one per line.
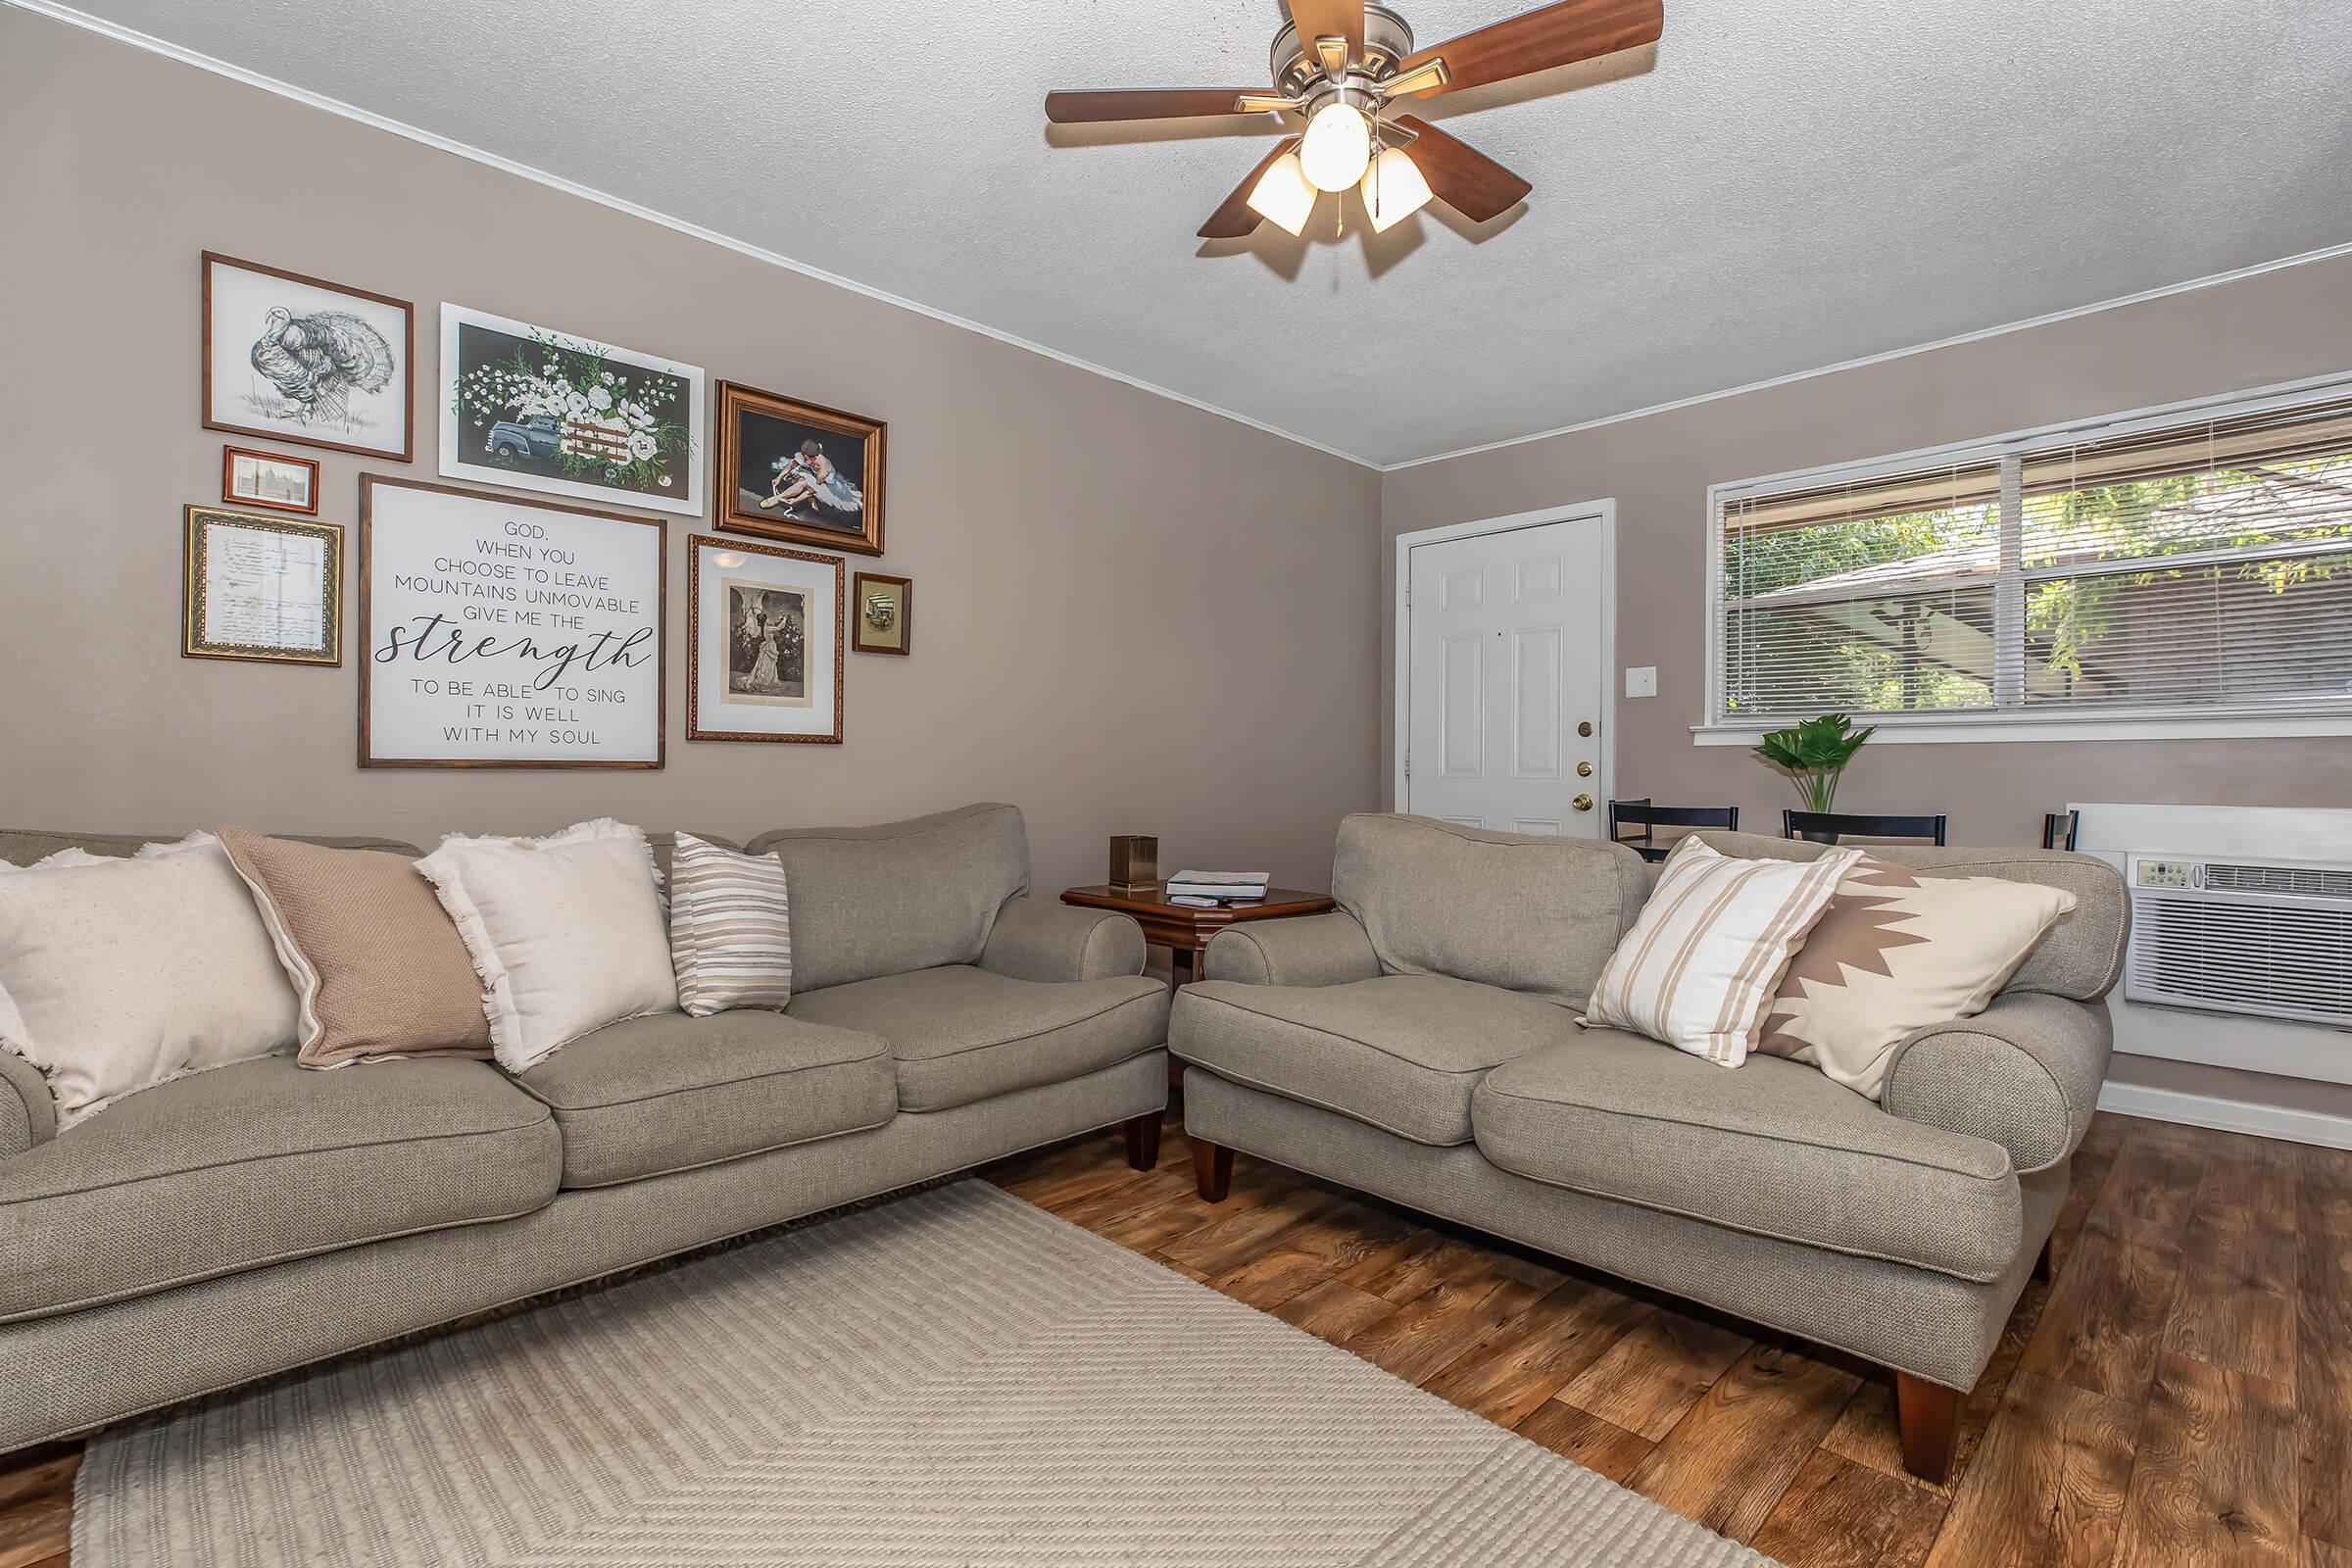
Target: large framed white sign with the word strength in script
507 634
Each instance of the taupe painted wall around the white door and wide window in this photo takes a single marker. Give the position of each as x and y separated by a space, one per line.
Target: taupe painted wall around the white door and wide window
2243 335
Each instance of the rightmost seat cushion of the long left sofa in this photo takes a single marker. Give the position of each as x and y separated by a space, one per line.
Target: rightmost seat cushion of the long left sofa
968 1036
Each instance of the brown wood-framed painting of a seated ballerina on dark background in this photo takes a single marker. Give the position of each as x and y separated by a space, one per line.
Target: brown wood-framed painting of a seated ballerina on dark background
799 471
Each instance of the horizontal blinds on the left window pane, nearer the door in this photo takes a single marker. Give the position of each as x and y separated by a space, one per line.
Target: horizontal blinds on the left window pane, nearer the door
1873 596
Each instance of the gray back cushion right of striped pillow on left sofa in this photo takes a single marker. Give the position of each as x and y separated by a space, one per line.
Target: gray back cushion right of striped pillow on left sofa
902 897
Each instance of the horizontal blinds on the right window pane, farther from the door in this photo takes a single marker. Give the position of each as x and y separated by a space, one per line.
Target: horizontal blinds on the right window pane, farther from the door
2193 568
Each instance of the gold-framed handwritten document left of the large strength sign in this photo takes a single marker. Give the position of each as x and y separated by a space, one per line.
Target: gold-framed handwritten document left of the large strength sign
265 589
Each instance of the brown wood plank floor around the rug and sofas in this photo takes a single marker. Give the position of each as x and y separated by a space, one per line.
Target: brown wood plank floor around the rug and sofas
2179 1395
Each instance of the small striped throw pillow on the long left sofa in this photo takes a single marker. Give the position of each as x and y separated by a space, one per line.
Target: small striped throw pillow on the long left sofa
730 930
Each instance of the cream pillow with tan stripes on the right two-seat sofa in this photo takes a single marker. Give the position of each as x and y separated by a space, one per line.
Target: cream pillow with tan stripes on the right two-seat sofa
1711 946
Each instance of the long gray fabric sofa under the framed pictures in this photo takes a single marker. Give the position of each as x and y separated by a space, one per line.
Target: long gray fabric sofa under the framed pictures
260 1217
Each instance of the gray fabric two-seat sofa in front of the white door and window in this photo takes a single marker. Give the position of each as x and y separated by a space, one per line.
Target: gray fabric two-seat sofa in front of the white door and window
1422 1045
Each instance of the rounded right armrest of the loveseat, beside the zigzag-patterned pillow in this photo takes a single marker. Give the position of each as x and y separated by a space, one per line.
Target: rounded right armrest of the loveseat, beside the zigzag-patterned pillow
2024 1073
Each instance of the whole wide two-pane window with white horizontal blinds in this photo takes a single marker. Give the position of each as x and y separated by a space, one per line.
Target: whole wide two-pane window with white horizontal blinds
2156 570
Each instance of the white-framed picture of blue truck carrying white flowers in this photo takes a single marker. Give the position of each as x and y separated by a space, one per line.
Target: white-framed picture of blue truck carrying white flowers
570 417
